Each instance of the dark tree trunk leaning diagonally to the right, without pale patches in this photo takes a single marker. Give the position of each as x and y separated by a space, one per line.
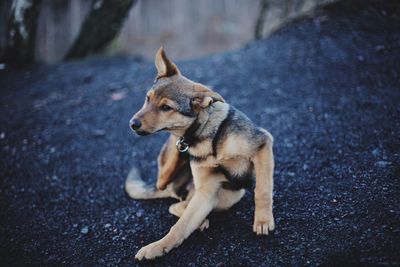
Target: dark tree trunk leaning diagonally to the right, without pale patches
100 27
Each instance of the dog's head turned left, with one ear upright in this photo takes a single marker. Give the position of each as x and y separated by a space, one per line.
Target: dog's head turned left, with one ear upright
173 103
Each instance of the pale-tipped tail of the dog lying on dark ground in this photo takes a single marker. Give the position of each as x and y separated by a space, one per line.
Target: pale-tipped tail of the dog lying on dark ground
139 189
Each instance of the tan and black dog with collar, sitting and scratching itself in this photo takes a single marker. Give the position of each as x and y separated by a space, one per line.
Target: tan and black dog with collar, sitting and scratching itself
213 154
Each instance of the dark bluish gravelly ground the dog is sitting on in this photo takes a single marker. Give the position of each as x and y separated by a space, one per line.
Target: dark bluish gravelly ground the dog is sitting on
327 88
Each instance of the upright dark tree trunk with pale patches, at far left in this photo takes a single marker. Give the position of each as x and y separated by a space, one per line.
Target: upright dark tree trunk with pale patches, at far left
20 47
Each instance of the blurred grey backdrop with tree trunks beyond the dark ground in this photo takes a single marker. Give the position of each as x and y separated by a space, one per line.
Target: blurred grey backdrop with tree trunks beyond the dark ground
50 31
